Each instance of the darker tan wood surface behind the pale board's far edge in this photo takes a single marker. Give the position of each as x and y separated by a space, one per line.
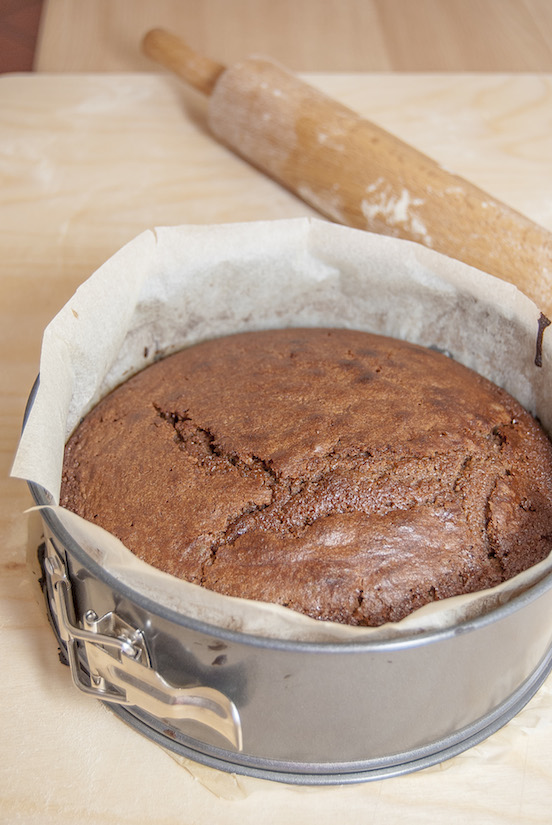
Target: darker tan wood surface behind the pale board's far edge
306 35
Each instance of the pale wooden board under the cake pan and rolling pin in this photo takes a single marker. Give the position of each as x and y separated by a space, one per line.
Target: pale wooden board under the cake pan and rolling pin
86 163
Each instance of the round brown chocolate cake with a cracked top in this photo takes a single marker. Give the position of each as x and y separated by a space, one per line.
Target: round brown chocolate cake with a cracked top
349 476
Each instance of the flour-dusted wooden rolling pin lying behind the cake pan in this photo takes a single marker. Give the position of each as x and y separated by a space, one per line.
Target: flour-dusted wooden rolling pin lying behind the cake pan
356 173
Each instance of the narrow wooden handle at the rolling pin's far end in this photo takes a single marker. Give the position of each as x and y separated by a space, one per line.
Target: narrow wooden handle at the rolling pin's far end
171 52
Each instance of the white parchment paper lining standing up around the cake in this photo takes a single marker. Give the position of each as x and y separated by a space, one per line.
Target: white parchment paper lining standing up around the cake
174 286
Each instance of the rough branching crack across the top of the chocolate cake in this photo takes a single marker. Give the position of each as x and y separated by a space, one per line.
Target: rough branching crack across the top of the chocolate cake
288 510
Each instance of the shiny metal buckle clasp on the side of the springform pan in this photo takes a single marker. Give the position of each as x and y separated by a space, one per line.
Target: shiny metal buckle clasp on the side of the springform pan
119 665
